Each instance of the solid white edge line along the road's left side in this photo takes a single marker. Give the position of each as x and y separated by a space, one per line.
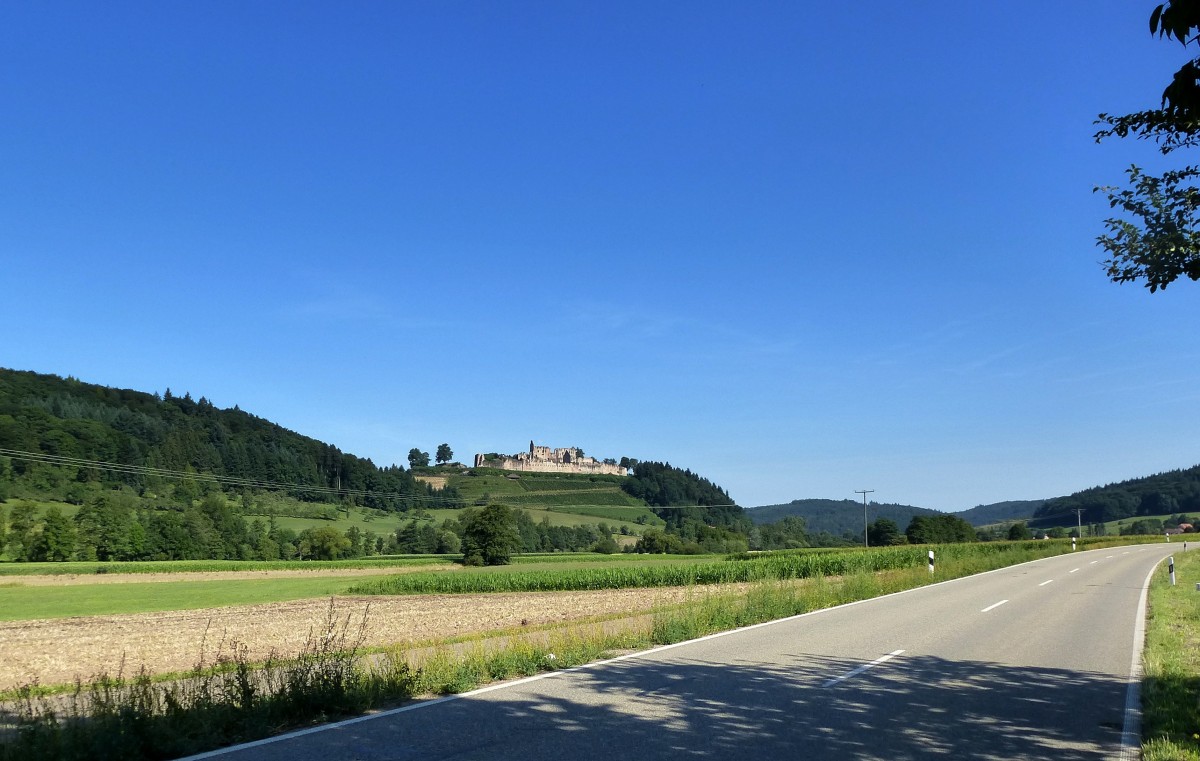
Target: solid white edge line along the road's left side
597 664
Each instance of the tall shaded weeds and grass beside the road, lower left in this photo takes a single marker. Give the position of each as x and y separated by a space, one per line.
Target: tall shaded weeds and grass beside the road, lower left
225 700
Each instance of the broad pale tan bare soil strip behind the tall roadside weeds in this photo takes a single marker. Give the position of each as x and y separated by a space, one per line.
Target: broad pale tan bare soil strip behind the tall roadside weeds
59 651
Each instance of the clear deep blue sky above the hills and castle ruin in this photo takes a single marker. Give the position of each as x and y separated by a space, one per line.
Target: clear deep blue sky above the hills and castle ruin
801 249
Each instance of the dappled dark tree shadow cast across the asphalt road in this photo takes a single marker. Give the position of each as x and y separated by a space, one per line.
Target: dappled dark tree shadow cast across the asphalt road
911 708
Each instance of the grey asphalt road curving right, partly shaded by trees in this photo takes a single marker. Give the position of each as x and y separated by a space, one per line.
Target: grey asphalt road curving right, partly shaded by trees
1031 662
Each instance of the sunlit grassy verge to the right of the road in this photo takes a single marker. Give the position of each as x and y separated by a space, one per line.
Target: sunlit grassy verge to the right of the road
1171 690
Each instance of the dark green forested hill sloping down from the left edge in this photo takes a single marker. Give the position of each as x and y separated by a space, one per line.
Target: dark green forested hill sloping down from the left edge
56 418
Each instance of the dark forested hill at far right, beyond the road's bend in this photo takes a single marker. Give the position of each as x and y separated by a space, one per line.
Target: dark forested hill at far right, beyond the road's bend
1177 492
